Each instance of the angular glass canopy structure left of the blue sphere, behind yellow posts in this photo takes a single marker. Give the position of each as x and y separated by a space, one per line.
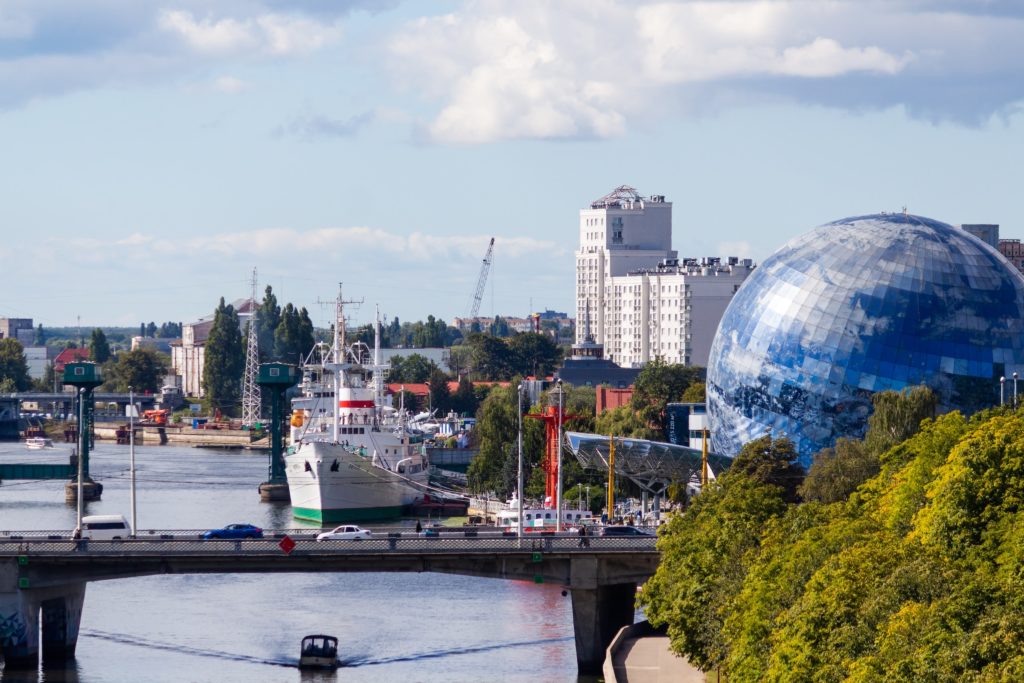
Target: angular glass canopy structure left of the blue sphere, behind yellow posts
652 465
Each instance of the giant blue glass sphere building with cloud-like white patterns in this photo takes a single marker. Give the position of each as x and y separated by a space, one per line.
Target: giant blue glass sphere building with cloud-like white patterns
858 307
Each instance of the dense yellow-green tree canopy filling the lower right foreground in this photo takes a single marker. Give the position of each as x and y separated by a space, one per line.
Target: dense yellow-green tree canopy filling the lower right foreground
915 576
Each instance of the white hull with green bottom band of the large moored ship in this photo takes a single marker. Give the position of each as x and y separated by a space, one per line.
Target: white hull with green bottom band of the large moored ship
330 484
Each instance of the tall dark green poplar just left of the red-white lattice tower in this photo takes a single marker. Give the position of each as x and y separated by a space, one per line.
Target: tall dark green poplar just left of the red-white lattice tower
225 360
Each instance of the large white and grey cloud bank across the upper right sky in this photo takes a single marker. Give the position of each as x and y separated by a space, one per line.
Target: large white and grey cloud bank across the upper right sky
530 69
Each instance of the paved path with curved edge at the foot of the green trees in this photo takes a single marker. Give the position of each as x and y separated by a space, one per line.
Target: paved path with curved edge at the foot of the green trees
641 656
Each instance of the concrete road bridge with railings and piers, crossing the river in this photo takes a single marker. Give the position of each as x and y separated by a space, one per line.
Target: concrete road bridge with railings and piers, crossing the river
44 576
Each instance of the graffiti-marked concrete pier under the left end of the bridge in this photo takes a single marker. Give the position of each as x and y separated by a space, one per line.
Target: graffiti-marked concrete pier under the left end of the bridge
60 608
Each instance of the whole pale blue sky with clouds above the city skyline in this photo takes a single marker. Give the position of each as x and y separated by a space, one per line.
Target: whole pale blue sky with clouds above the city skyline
154 154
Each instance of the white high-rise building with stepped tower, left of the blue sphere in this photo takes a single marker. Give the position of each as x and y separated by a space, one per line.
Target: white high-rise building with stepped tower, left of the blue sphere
643 302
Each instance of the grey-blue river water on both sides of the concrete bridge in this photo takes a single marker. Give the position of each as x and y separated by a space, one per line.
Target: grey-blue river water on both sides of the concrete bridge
392 627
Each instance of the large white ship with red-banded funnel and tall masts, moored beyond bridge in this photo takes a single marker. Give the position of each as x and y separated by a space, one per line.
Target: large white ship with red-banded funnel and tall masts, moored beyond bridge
352 456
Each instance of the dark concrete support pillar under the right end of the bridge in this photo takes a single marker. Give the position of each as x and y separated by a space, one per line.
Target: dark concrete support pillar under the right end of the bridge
599 614
